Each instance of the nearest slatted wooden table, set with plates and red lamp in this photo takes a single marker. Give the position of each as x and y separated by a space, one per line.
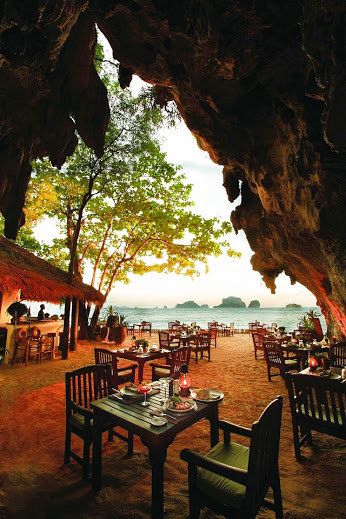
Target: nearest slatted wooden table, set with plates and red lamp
136 419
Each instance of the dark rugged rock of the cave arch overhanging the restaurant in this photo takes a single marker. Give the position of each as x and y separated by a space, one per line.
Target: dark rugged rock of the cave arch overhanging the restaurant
261 84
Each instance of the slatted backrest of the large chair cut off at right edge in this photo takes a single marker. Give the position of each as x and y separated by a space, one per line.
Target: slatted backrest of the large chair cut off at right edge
317 399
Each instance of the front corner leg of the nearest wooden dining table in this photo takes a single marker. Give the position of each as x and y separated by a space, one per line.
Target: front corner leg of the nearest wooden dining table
157 458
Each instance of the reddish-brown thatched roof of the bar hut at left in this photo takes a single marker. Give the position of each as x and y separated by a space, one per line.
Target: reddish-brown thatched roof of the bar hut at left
37 279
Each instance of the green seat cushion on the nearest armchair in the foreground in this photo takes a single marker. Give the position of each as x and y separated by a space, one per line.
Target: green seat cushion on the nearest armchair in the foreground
219 488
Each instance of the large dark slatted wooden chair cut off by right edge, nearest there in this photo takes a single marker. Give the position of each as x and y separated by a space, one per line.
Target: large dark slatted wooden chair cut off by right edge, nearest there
316 404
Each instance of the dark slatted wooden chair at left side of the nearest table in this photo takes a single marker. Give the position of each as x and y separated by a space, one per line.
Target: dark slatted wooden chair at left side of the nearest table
82 387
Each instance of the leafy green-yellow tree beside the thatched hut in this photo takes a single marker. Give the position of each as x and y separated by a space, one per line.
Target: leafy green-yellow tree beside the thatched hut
128 211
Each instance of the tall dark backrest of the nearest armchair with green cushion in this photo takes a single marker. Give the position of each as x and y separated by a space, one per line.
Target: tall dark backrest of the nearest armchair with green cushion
263 455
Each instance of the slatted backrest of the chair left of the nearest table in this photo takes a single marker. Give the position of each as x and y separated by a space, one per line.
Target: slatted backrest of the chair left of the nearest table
87 384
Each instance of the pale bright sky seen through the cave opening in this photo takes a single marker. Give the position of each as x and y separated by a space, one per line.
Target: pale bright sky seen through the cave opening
226 276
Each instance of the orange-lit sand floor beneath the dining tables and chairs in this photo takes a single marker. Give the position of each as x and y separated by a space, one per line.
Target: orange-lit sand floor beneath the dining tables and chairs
35 484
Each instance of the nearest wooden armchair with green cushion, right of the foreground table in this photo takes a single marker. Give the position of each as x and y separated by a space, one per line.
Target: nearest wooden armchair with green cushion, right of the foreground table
232 479
